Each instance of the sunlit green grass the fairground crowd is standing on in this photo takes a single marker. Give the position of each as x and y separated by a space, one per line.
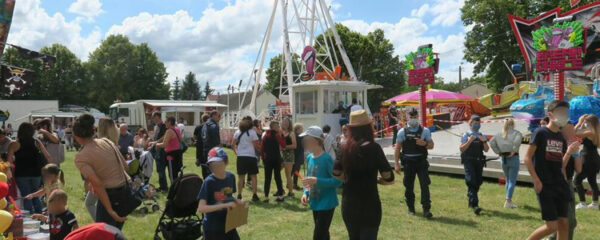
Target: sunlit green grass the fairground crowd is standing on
291 220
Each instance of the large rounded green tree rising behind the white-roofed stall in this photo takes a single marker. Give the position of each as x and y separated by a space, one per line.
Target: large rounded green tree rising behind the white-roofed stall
131 71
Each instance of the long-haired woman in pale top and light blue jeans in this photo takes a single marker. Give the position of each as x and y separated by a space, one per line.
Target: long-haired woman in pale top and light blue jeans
507 144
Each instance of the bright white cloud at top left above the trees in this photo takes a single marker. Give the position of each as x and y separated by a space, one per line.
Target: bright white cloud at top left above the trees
33 28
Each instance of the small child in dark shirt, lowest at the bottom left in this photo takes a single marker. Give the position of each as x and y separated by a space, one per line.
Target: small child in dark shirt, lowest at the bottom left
61 220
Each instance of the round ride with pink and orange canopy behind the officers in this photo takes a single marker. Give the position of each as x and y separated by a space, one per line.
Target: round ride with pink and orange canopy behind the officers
443 106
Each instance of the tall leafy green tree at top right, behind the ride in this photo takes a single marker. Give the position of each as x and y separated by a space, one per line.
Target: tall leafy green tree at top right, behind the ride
491 40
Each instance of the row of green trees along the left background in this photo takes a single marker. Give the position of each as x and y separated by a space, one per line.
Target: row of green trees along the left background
116 70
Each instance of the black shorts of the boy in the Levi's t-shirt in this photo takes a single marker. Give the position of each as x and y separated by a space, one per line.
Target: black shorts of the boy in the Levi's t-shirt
554 202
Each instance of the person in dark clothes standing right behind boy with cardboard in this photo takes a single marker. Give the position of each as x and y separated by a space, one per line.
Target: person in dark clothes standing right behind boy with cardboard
210 138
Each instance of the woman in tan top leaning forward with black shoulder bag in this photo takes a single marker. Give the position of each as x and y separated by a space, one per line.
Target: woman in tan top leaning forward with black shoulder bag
103 168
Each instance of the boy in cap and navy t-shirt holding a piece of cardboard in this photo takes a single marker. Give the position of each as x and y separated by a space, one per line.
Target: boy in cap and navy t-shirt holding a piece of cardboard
216 196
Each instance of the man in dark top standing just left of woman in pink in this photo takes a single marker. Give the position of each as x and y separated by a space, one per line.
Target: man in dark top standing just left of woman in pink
159 154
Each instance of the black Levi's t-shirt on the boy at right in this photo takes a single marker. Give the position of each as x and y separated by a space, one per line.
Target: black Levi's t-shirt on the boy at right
551 147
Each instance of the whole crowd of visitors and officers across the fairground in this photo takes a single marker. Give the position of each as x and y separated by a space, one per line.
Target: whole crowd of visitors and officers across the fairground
352 161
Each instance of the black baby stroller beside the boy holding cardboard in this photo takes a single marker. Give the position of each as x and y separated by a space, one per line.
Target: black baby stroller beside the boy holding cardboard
179 220
